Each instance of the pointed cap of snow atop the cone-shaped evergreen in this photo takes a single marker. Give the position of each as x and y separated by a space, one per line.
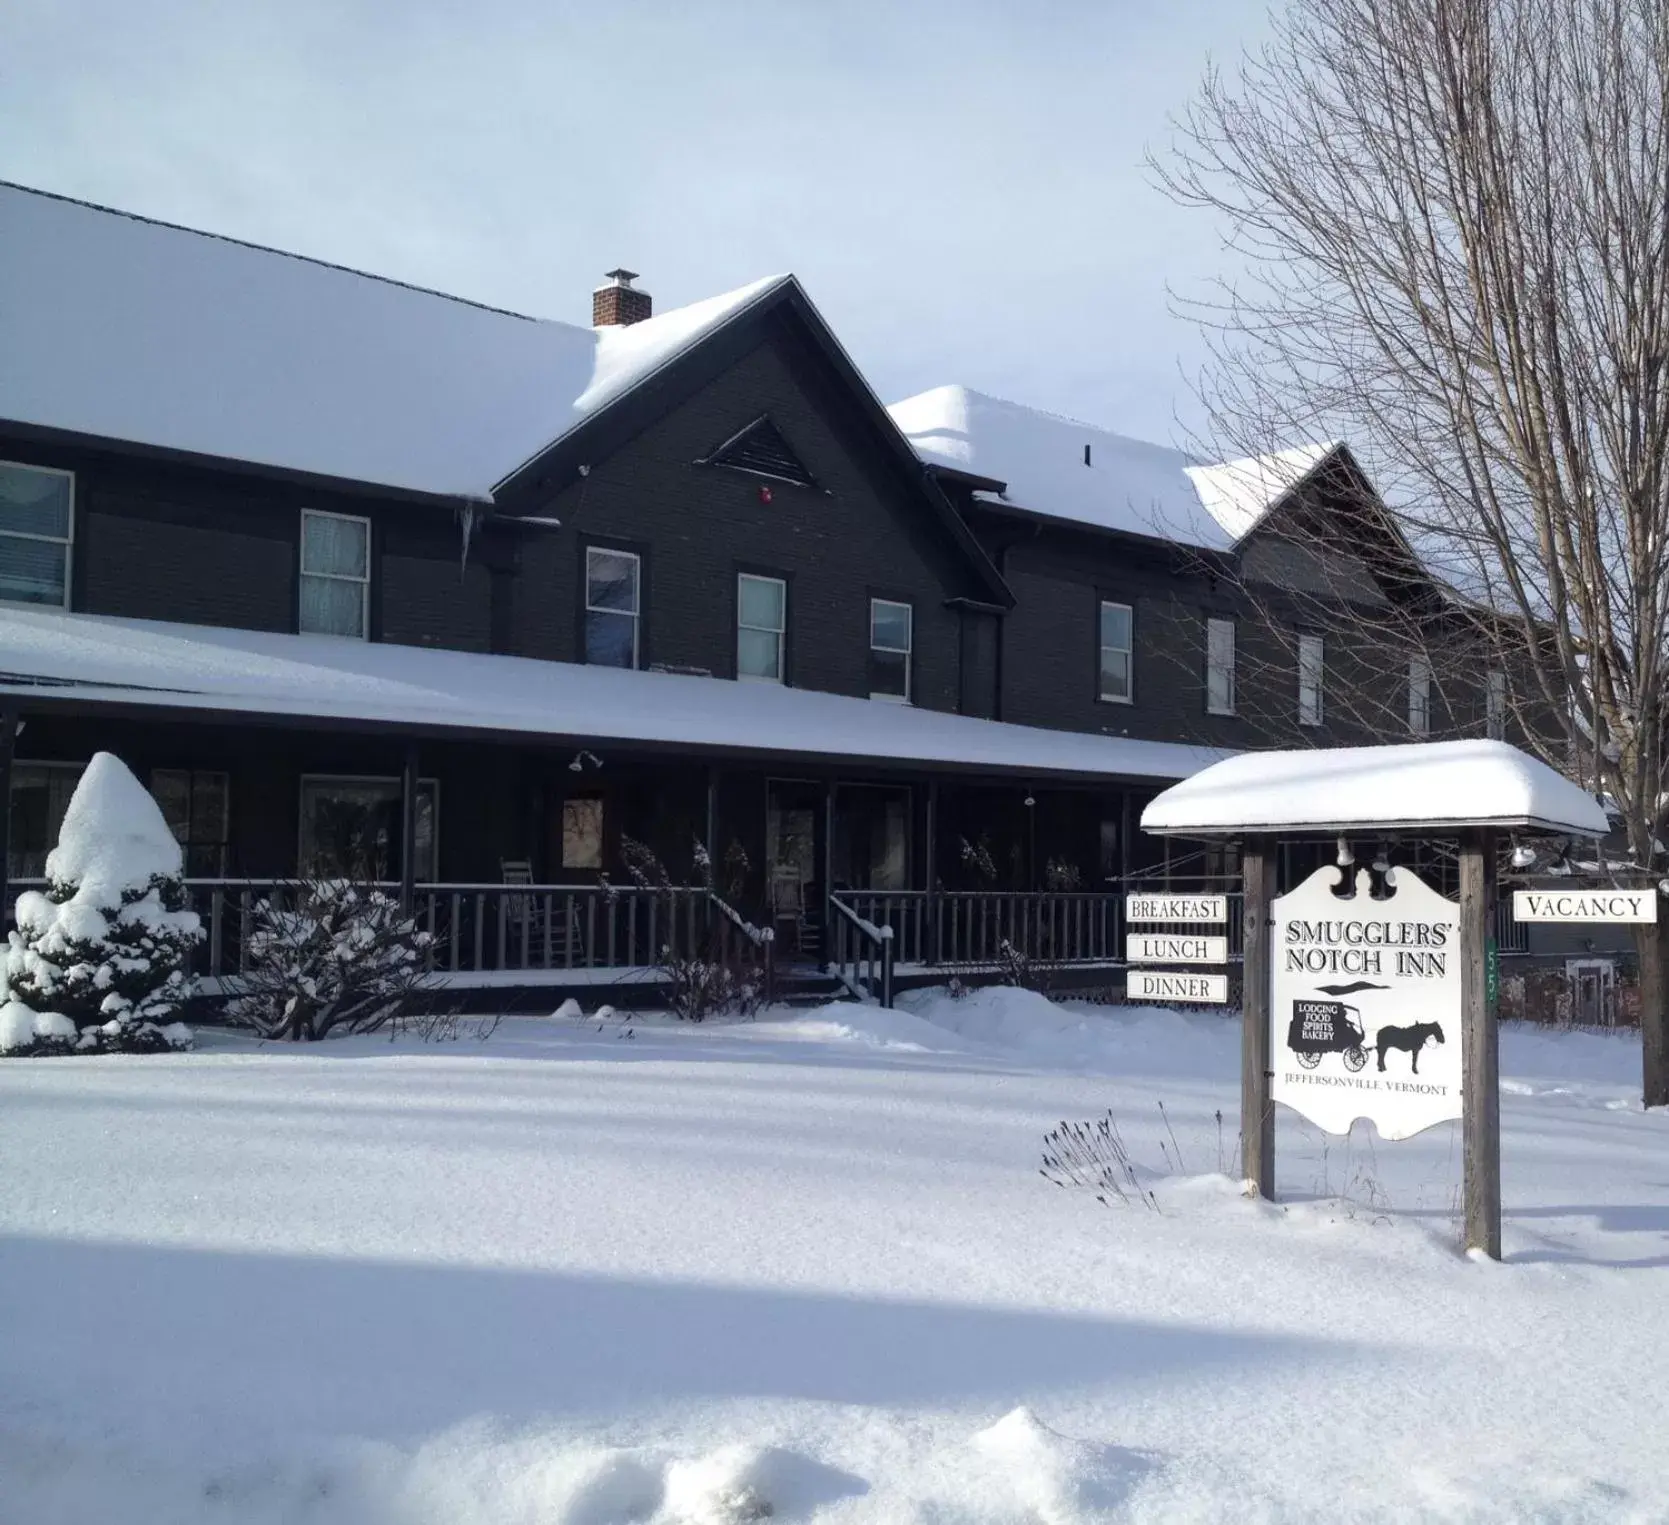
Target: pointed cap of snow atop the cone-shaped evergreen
114 837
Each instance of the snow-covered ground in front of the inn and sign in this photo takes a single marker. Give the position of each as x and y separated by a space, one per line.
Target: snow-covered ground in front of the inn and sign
809 1266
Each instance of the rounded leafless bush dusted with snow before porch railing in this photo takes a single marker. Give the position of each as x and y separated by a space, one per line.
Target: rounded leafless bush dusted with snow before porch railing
330 955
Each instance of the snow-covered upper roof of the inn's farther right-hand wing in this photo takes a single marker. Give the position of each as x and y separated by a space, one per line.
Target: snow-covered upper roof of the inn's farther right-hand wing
1126 485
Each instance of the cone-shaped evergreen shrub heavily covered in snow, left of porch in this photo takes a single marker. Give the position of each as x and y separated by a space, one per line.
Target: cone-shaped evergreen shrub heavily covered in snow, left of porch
98 962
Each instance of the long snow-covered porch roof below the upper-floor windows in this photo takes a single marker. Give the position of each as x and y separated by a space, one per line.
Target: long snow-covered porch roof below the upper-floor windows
83 662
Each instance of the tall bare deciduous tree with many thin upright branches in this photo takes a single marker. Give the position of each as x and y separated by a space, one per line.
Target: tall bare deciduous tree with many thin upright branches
1455 223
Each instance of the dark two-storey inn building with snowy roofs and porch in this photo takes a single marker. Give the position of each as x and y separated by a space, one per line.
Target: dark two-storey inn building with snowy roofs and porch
363 578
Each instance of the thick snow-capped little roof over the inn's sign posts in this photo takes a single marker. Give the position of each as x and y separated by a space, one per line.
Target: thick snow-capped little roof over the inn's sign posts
1435 785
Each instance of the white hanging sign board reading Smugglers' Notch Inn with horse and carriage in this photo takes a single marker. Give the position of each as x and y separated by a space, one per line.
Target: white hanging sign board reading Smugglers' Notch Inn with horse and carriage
1366 1005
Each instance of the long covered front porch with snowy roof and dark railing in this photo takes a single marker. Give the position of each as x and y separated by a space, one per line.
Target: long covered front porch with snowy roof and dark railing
500 797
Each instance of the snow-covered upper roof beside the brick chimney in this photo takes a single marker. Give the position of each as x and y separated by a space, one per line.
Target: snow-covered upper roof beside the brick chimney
129 330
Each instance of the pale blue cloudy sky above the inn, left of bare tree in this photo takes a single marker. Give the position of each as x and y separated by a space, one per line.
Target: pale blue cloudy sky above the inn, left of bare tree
959 186
